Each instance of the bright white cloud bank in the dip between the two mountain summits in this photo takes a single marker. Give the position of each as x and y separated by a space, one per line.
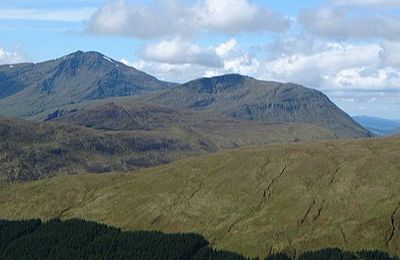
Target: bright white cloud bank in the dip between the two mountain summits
182 62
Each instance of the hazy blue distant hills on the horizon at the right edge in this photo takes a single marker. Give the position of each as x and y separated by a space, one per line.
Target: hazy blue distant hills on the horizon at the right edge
379 126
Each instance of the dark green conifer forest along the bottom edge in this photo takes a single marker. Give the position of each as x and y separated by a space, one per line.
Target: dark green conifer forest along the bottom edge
78 239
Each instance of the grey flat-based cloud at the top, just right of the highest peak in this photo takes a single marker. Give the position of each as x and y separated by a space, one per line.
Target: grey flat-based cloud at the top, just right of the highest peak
159 19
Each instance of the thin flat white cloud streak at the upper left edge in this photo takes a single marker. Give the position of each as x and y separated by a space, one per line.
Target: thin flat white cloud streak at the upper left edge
62 15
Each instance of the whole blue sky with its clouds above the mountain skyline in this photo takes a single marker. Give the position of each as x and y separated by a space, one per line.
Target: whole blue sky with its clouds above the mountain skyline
349 49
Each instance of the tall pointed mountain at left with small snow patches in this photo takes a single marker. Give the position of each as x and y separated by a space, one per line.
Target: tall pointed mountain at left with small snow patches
27 89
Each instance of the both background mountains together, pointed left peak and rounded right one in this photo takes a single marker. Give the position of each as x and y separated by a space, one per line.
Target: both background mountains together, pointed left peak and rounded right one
79 80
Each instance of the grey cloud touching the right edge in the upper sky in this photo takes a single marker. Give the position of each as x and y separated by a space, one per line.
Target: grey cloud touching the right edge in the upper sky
337 23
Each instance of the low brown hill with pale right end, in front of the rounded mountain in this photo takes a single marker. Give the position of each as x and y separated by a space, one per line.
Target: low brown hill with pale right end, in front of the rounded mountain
225 132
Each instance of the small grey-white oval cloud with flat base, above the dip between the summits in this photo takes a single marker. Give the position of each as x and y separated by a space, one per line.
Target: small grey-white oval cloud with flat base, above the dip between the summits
178 51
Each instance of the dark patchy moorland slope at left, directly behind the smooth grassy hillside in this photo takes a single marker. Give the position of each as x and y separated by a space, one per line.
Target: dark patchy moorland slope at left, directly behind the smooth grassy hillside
31 150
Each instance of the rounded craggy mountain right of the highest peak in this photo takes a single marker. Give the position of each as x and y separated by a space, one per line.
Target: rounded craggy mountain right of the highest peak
239 96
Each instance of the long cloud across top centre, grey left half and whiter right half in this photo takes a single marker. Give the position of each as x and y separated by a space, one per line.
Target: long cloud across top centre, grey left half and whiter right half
169 18
